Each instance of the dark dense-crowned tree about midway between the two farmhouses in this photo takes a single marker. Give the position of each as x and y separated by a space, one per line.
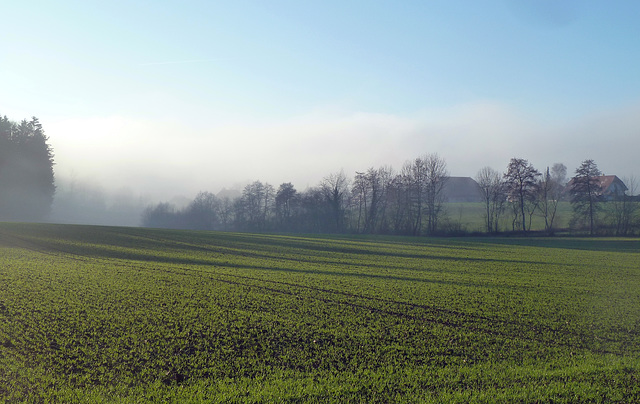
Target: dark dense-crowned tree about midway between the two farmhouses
521 181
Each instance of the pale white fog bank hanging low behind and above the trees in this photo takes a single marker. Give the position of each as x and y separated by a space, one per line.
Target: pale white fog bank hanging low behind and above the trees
307 149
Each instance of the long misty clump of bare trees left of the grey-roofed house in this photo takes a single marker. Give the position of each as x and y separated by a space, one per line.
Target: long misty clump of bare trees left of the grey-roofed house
376 201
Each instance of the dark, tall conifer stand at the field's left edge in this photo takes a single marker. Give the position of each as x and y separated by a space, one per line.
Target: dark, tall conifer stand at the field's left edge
26 171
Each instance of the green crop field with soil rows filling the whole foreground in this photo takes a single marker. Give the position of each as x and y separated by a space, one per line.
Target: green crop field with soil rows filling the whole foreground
105 314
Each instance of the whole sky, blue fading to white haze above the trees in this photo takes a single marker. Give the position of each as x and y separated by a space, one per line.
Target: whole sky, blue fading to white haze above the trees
167 98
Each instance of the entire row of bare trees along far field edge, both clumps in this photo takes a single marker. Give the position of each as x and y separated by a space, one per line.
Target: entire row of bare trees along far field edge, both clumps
410 201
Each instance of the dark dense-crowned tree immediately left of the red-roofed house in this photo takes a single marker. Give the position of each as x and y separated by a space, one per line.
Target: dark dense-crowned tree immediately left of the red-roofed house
585 191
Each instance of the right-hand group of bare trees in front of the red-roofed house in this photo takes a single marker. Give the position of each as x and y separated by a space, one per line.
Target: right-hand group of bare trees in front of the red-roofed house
522 192
